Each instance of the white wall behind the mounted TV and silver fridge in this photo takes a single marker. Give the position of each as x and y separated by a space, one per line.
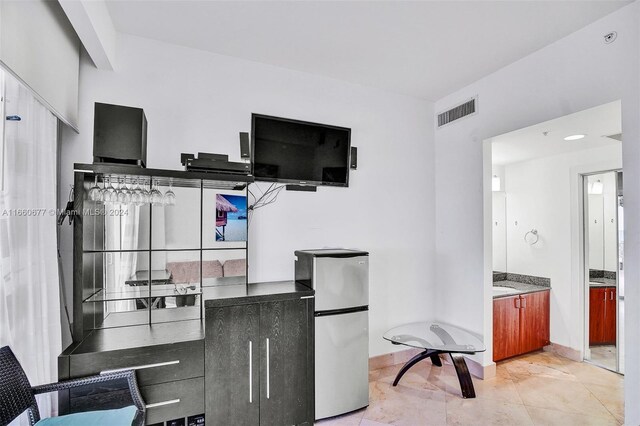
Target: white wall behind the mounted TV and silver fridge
196 101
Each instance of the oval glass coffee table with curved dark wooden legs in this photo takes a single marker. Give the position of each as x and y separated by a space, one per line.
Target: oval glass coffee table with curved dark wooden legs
438 338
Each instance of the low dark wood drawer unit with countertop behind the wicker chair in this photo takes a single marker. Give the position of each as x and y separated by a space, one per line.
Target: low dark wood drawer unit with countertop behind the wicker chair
169 365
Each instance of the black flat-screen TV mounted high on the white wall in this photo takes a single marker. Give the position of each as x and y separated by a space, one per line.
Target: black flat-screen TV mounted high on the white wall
299 152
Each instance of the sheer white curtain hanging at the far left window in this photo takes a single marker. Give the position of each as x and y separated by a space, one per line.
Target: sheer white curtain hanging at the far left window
29 291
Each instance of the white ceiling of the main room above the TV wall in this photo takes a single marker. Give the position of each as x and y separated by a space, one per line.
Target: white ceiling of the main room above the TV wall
425 49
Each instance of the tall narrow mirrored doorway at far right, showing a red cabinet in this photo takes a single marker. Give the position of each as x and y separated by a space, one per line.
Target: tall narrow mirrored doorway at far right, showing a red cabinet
603 210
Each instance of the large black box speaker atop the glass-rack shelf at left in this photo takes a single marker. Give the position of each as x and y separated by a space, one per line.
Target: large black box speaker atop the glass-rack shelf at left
119 135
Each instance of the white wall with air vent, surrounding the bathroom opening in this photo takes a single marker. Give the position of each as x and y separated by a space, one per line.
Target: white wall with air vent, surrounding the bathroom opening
573 74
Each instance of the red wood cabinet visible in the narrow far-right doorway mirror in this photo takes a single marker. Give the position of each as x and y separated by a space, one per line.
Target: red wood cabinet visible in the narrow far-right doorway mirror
602 315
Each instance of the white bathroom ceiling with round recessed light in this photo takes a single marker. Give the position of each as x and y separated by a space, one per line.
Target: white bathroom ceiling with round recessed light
530 143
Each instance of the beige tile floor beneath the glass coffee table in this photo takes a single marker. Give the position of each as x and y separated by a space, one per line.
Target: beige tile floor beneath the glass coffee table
535 389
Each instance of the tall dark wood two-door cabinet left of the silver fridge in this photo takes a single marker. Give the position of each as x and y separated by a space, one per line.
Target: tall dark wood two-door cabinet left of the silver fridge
259 364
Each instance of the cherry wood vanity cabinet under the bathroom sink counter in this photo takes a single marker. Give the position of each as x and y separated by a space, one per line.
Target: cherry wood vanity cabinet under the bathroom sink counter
520 324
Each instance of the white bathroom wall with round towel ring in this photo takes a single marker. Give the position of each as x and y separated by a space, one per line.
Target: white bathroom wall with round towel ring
539 196
